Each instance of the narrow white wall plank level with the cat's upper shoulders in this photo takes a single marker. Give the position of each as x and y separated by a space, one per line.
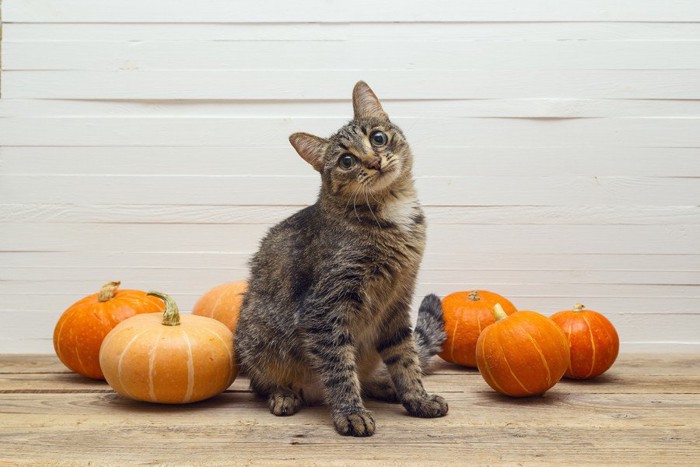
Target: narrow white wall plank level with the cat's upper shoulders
436 215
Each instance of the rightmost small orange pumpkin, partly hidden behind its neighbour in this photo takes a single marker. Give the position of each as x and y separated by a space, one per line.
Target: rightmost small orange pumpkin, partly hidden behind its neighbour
593 341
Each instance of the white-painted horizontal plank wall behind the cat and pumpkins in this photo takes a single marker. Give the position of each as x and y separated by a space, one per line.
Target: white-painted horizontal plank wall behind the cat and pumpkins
557 146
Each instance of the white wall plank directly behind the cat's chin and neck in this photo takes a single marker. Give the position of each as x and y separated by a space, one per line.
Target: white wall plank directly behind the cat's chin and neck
446 190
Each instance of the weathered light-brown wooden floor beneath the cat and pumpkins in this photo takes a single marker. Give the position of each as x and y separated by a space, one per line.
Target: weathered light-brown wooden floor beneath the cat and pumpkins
646 410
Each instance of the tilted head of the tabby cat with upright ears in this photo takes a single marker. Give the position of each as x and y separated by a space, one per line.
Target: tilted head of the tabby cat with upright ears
368 155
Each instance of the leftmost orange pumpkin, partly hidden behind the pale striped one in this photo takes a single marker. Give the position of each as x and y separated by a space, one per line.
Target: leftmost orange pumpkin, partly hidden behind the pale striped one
82 327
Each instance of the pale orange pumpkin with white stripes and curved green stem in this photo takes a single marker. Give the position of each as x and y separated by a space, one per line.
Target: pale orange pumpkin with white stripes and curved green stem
169 358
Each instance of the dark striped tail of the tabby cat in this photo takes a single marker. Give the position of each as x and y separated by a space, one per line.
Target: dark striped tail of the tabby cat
430 329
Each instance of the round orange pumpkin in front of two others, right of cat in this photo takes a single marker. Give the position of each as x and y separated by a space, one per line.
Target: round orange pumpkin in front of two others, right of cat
523 354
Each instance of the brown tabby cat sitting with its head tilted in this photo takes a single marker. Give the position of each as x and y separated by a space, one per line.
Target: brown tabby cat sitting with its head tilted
330 287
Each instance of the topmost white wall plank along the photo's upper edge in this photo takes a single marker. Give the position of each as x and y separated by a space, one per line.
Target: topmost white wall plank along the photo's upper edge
218 11
